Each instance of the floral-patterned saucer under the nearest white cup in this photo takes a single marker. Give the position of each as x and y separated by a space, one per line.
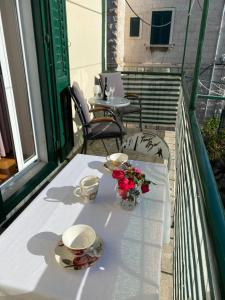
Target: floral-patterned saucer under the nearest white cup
70 261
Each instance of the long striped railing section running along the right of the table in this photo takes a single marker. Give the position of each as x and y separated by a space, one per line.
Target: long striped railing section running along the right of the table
199 260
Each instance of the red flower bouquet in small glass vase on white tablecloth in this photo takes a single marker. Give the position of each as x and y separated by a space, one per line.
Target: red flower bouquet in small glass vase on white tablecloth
131 182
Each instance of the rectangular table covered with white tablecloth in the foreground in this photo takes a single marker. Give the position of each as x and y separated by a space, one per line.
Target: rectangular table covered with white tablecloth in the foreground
131 263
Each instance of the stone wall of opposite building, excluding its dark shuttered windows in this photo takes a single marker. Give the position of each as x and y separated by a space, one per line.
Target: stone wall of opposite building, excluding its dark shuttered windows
139 53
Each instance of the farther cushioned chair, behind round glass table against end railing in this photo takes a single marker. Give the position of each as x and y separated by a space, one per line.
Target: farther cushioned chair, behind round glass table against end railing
114 80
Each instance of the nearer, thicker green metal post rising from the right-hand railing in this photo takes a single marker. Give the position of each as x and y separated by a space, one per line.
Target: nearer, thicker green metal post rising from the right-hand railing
199 55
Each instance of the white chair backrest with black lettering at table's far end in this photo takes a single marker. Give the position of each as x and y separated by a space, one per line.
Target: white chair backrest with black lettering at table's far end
149 144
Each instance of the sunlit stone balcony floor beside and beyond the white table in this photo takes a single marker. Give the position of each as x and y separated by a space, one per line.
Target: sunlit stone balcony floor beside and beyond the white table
97 148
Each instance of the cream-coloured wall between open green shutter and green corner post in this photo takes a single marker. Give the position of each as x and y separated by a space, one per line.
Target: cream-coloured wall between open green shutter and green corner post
84 22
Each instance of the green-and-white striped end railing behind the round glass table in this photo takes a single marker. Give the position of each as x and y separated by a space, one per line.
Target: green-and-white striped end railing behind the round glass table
159 94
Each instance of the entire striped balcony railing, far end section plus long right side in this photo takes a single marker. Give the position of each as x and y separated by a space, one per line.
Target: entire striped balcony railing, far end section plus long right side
199 260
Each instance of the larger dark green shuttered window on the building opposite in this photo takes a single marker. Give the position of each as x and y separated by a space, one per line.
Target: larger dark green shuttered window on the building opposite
161 35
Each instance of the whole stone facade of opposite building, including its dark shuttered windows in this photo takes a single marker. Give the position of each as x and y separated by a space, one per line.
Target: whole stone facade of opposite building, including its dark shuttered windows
141 52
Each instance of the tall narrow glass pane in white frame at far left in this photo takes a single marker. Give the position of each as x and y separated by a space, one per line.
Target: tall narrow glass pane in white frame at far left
18 77
